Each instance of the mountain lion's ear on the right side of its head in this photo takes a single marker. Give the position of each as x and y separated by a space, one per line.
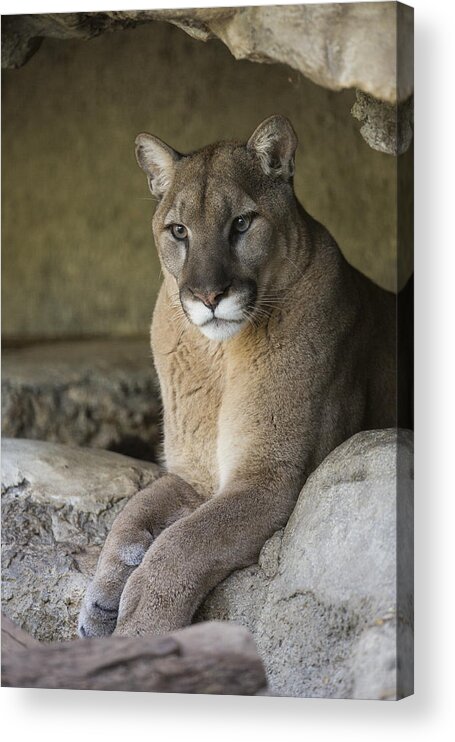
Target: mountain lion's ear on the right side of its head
274 142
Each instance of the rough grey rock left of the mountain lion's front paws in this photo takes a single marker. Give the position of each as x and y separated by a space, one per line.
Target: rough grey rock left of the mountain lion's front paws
58 504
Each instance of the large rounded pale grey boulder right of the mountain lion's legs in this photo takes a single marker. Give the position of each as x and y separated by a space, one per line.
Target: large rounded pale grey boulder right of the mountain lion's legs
322 603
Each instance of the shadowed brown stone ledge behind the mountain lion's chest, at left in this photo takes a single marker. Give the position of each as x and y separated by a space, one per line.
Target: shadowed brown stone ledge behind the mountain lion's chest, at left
91 393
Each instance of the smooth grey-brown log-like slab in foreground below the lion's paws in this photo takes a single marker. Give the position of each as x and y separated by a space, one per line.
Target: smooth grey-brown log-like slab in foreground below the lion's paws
215 657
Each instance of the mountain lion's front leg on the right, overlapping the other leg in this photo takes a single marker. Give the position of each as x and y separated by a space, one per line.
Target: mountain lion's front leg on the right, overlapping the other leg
196 553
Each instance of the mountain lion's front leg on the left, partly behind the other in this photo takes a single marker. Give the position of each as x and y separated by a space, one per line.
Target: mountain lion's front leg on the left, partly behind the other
142 519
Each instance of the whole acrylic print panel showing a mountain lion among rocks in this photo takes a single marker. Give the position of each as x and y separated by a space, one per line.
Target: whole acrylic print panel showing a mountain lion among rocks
230 513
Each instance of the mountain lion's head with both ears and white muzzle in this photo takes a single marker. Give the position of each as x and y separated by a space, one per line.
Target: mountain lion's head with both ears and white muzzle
221 223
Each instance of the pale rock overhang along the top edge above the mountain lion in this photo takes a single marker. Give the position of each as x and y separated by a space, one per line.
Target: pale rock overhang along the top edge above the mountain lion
338 45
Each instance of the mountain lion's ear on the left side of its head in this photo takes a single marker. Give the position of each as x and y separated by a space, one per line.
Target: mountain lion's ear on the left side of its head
157 161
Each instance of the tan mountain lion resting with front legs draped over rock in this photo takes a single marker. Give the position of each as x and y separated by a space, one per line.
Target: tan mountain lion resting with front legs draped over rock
271 350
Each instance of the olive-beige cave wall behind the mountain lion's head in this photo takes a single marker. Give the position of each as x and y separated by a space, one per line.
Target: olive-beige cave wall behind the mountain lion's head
78 257
